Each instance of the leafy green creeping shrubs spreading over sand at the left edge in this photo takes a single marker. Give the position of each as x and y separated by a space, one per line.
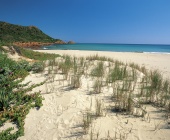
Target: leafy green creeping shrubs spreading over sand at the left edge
15 103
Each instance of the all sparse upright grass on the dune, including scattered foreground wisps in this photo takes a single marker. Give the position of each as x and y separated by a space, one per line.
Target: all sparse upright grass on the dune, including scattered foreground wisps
131 89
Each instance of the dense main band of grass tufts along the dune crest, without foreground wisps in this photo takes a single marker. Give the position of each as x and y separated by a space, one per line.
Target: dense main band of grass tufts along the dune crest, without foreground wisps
154 90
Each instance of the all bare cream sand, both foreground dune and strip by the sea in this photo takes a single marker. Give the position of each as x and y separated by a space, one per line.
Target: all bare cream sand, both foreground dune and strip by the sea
65 111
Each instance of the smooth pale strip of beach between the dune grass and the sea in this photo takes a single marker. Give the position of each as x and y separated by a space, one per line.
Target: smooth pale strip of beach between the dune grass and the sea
150 60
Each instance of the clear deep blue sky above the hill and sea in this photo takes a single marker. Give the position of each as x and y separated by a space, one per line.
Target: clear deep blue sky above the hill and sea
94 21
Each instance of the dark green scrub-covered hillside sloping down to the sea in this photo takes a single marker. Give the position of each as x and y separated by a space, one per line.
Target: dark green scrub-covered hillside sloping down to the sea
10 33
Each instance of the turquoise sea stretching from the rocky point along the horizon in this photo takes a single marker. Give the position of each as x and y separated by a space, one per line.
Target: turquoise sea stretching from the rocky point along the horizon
112 47
